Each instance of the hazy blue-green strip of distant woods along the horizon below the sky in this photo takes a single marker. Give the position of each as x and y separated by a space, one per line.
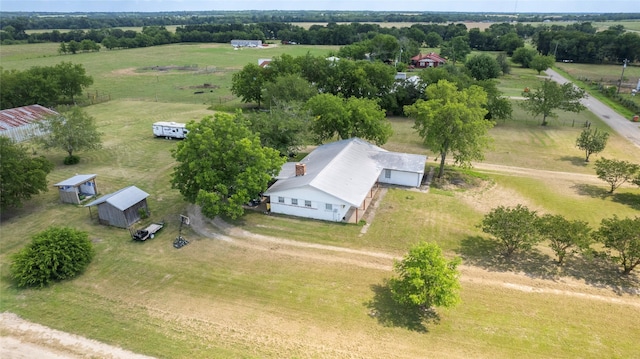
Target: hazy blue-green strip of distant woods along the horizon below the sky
44 20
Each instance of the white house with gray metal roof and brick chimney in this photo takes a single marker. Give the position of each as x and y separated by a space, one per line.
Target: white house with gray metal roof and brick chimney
337 181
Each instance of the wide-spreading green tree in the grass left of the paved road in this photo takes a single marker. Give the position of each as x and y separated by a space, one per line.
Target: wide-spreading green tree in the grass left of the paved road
550 97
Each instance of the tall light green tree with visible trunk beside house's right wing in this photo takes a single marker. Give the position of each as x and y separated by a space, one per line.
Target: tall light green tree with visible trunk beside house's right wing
452 121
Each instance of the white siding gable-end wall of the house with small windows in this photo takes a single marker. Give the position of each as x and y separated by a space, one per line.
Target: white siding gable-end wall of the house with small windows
318 209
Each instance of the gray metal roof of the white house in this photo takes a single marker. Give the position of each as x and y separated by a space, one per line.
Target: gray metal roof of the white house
346 169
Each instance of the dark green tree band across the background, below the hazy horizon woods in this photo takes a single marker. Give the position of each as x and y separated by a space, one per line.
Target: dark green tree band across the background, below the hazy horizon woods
578 42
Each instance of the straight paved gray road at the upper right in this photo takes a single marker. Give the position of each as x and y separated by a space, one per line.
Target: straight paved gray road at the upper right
629 130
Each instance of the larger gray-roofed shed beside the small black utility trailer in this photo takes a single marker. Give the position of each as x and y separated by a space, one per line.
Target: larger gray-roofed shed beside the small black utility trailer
121 208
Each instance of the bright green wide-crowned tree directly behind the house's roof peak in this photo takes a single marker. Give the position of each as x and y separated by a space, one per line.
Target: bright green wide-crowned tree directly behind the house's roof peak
347 118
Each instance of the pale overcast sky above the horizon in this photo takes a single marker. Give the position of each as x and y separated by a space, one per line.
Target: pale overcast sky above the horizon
505 6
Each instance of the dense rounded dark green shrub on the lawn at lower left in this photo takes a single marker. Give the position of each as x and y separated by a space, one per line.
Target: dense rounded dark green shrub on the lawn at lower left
54 254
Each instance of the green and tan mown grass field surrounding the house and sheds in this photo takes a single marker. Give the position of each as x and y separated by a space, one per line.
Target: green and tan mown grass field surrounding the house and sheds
215 299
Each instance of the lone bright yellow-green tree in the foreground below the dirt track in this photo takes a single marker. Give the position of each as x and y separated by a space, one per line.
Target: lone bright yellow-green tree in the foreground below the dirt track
426 279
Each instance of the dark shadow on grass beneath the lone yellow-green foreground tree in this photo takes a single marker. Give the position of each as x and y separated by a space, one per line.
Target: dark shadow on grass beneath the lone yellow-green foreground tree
391 314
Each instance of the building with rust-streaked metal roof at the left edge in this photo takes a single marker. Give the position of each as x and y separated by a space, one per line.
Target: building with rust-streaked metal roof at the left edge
21 123
